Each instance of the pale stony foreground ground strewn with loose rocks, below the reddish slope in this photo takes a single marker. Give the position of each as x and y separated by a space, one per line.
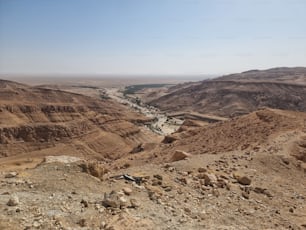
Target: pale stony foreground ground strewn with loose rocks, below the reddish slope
236 190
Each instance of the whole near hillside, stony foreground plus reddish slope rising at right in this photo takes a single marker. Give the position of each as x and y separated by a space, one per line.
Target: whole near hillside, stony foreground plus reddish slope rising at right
238 174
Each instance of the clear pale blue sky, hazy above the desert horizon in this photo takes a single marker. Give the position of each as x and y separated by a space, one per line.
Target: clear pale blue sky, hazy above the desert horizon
150 37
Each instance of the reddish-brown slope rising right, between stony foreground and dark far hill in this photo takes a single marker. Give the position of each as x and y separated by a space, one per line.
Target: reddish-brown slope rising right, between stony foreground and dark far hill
266 130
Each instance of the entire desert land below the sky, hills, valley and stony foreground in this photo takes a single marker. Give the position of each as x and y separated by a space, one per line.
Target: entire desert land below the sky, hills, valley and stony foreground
223 153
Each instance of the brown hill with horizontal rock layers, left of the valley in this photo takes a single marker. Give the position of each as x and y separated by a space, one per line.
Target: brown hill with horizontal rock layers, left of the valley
39 121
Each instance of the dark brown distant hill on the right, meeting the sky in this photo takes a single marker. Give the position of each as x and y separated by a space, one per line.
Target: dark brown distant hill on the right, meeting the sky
237 94
